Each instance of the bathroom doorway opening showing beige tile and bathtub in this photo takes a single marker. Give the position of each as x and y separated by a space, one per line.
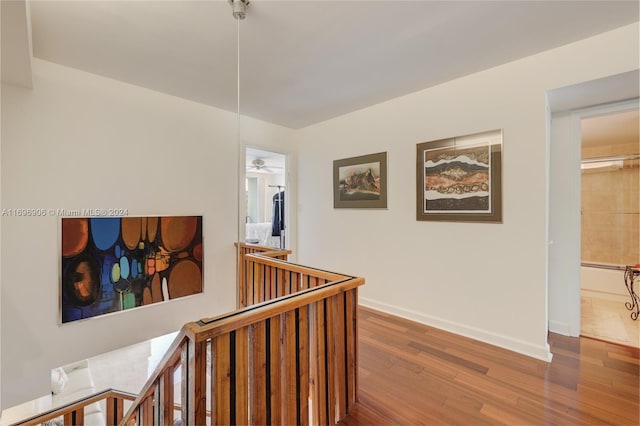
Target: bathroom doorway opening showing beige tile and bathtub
610 233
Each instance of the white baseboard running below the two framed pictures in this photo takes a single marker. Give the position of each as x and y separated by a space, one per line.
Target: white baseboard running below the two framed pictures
539 352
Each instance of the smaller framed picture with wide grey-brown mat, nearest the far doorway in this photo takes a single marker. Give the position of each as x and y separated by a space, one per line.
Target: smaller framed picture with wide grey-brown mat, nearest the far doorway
360 182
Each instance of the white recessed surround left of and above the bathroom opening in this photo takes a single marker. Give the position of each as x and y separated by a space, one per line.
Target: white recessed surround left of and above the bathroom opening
567 106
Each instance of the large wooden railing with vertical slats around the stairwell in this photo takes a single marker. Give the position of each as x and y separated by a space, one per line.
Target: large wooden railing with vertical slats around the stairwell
290 357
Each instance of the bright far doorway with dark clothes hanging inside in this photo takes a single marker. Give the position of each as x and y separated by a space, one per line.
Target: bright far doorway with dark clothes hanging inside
266 217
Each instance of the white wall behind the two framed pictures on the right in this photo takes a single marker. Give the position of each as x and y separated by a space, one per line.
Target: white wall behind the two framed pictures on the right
487 281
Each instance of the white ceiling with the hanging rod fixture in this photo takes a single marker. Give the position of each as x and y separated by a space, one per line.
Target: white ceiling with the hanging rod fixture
301 61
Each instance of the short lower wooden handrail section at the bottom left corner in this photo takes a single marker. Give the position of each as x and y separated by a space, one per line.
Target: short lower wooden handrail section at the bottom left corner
73 411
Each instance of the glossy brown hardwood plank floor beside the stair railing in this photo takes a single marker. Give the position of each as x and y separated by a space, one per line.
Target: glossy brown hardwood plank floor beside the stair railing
411 374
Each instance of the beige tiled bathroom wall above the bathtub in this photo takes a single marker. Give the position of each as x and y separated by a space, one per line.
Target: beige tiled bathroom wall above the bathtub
611 209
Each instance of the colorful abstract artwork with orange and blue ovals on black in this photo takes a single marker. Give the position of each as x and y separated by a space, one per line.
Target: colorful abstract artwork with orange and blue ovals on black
112 264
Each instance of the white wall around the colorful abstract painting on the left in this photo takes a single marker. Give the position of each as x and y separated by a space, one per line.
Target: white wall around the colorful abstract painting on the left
77 141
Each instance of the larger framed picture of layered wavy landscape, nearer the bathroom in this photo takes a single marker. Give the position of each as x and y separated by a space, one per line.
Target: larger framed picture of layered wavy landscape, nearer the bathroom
460 179
